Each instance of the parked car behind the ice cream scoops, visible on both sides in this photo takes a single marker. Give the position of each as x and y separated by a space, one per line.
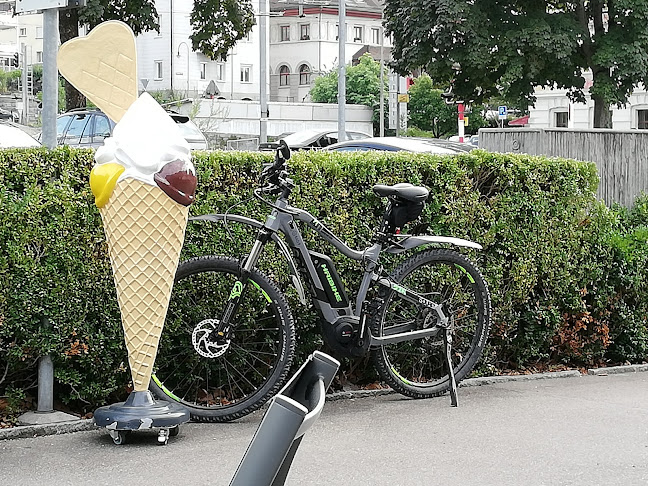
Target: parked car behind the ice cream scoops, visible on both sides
87 128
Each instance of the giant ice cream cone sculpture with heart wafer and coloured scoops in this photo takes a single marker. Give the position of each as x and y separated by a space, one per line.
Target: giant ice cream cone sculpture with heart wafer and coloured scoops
143 182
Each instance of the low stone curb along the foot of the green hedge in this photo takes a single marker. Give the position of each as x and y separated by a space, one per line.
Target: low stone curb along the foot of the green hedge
26 431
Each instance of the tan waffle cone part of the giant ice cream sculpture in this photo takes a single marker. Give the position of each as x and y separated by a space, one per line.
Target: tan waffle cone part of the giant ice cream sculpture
145 231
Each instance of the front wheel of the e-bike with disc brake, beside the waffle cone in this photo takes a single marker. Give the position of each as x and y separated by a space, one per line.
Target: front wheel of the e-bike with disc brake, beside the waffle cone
222 378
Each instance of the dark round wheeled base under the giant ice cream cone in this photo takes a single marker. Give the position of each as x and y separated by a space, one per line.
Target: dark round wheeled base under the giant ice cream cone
141 411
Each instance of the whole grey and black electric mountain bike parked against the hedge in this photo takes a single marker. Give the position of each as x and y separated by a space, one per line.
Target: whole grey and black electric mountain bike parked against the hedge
229 338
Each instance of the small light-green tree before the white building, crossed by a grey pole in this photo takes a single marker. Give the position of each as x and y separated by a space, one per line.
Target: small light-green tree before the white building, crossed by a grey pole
362 86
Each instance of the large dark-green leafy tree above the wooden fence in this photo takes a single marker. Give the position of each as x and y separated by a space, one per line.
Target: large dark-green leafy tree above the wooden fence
508 47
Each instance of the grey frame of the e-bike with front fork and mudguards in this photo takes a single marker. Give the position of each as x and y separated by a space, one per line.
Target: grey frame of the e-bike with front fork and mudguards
282 220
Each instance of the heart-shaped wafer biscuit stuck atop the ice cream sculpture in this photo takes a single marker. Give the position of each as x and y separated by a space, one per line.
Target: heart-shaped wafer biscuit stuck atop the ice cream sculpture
103 66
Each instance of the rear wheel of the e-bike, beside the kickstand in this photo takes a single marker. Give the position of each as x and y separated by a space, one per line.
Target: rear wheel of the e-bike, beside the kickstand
418 368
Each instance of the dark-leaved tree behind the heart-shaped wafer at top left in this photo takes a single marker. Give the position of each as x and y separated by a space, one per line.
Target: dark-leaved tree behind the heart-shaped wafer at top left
217 25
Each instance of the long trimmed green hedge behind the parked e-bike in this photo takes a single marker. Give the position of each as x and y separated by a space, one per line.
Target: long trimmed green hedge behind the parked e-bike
567 275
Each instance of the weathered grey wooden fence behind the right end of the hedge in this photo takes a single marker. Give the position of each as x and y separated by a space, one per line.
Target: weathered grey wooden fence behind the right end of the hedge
620 156
